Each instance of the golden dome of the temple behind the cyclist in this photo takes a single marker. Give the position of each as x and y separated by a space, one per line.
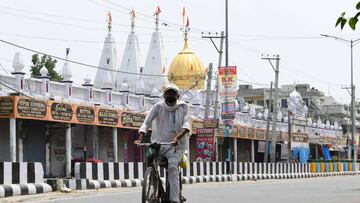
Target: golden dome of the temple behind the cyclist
186 70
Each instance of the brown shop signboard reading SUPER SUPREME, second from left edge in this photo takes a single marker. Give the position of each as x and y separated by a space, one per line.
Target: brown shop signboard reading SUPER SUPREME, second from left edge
31 108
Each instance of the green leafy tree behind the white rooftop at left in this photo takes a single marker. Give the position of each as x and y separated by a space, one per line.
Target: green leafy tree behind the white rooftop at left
49 63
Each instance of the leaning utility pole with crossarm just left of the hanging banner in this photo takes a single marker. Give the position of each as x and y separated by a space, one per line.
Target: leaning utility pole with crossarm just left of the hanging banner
220 51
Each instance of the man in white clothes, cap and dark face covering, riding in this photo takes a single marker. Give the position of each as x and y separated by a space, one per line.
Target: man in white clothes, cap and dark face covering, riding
170 123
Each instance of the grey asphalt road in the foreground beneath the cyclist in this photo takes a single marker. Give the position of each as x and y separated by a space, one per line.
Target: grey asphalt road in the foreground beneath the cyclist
324 189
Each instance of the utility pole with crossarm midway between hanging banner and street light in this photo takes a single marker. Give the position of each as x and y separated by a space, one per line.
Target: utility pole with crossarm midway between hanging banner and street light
273 137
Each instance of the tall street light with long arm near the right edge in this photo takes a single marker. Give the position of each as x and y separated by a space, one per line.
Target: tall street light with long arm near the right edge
352 43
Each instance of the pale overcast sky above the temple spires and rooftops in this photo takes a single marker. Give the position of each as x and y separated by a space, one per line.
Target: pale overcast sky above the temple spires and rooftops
289 28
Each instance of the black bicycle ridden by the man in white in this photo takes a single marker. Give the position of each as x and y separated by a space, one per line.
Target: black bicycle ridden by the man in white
153 190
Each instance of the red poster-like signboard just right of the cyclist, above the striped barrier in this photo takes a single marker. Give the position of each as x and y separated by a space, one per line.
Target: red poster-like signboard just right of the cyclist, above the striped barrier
204 150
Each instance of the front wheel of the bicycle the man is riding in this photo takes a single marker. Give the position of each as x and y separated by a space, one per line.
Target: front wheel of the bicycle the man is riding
150 190
